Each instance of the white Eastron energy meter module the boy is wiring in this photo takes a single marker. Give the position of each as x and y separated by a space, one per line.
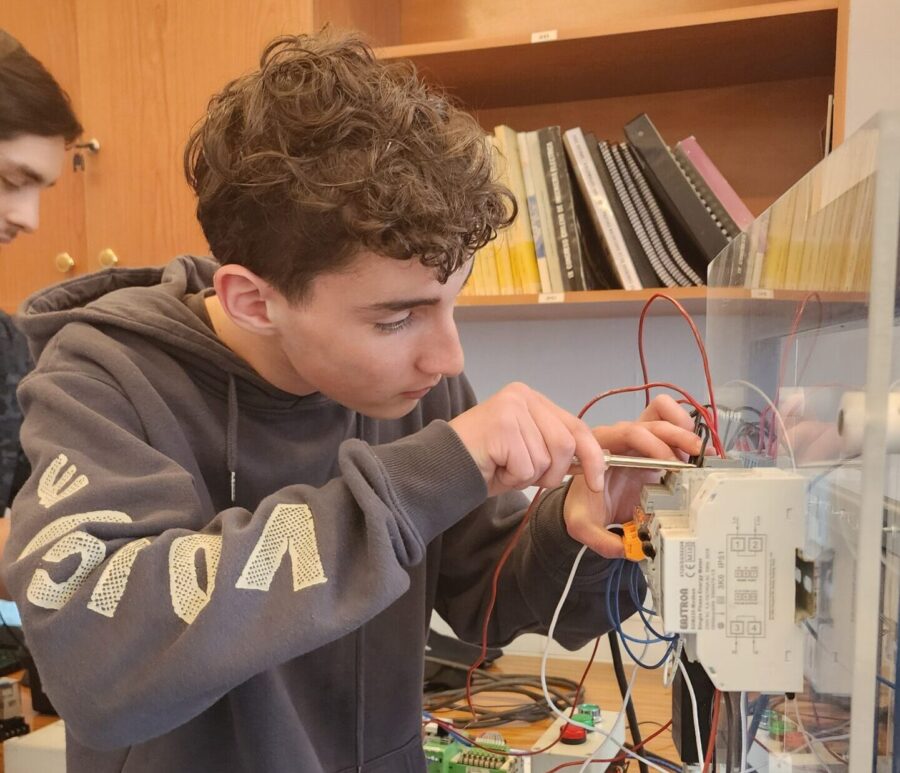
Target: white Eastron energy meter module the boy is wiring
728 574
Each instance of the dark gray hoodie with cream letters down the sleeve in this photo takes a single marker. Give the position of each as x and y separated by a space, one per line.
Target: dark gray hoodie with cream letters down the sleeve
215 575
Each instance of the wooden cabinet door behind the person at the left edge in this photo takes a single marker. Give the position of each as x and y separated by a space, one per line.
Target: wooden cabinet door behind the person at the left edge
47 30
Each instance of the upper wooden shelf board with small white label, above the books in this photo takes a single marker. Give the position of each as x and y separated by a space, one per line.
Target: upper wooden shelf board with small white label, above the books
775 41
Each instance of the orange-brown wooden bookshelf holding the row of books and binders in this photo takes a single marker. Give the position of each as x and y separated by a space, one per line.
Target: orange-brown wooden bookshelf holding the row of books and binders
749 79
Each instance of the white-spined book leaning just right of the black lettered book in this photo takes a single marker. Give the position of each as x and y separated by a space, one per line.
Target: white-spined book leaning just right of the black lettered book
601 218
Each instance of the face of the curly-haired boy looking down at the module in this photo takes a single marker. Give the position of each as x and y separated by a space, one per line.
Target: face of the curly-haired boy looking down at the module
375 338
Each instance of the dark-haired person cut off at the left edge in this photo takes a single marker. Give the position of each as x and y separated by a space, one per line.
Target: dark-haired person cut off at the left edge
36 124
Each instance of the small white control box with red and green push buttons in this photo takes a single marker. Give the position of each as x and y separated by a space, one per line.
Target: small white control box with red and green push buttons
604 743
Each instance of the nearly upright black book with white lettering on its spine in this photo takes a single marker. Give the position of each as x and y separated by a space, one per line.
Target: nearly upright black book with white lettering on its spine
559 188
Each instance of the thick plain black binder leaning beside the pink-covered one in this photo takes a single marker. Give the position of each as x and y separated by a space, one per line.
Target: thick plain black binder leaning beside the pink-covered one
675 193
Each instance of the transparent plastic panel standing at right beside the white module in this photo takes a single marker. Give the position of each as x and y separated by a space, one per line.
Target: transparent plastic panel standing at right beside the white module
801 323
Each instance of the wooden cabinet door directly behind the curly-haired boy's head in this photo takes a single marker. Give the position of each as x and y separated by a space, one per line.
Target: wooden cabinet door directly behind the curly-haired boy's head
148 68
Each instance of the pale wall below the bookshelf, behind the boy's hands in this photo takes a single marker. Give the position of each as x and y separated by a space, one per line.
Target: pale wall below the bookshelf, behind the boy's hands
571 361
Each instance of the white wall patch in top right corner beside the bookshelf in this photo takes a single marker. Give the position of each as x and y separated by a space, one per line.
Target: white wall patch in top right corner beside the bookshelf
873 66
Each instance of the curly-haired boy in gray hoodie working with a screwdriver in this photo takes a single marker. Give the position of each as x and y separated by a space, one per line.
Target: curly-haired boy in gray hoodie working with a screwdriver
256 477
